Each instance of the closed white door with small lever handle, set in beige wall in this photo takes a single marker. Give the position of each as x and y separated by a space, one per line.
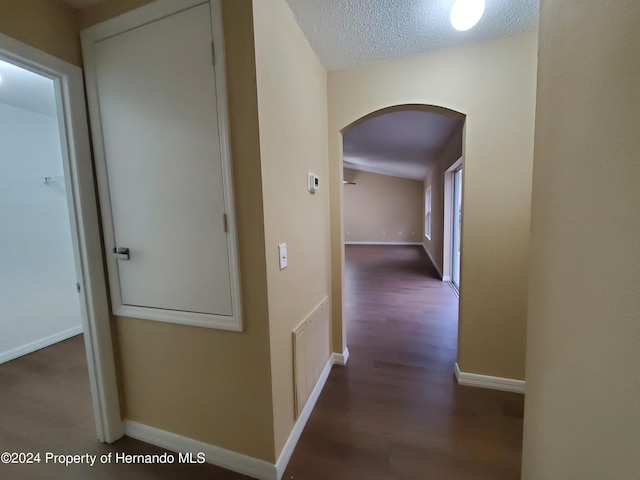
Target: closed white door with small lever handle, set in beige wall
162 177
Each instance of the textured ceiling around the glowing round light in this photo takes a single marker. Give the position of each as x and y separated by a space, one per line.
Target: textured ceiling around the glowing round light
350 33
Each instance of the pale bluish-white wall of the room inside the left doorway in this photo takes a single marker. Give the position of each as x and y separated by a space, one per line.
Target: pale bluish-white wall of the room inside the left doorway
37 281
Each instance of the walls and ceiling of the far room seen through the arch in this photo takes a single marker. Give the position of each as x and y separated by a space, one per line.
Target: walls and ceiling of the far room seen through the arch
396 185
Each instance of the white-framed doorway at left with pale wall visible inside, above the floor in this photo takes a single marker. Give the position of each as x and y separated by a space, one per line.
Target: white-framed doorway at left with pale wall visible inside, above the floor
52 281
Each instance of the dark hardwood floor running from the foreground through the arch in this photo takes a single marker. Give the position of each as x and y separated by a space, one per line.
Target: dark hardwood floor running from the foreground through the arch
395 411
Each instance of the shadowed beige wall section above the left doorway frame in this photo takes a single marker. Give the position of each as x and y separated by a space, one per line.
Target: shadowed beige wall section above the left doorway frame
48 25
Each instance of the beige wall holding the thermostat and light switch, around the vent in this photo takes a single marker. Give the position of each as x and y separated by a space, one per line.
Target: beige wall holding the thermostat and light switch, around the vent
292 101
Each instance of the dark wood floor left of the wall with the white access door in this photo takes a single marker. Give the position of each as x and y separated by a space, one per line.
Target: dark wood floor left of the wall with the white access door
45 406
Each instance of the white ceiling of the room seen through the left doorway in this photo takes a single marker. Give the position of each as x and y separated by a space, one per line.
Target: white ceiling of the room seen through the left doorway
24 89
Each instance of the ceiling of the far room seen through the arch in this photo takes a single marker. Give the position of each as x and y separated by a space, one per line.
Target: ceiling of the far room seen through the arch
399 143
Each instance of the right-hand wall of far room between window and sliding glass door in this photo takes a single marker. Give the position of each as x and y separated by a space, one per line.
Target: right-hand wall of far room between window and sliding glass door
451 153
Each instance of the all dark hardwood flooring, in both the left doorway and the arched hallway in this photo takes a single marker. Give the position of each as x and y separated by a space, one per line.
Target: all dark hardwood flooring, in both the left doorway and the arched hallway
394 412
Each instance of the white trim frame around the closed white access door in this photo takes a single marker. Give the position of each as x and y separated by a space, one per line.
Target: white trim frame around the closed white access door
90 37
